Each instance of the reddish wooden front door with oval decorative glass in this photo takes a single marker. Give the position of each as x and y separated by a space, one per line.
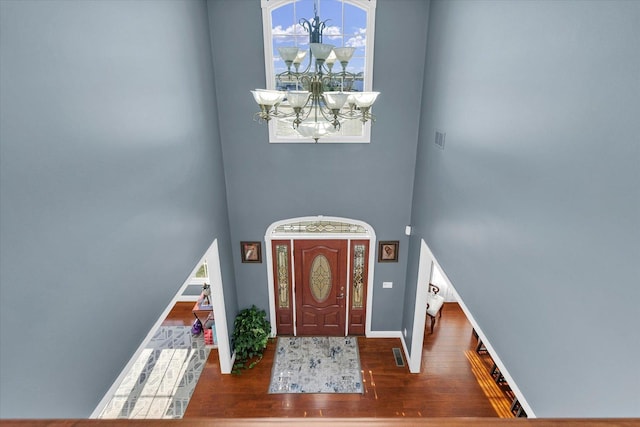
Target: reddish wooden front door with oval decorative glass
321 286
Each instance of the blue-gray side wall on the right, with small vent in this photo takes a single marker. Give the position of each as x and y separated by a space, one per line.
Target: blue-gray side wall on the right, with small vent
533 206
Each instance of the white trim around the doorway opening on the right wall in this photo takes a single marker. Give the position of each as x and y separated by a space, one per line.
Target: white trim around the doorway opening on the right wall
492 352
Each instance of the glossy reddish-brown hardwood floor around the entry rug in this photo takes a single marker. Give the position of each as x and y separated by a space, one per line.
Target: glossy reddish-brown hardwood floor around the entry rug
452 383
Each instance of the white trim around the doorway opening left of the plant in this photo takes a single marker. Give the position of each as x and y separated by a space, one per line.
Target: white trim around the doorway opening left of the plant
213 260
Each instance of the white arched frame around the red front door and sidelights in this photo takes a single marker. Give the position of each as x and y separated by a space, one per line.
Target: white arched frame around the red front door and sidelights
275 232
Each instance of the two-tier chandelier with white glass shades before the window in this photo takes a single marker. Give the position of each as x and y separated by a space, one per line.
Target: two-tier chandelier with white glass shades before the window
320 100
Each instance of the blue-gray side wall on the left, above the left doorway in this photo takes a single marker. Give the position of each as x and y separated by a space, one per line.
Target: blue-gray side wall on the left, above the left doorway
111 184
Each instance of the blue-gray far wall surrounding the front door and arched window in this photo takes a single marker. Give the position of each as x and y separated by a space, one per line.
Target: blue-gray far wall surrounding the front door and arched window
371 182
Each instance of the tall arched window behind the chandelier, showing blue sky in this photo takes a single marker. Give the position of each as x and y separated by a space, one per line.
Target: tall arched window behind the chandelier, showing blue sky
346 23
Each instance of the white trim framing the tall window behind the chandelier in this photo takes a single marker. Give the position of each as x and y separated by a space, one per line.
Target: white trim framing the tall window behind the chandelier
370 7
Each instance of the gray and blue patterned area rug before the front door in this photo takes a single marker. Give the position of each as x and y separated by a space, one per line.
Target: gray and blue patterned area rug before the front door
316 365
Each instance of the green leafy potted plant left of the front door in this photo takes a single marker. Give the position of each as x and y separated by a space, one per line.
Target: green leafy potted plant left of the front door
250 336
